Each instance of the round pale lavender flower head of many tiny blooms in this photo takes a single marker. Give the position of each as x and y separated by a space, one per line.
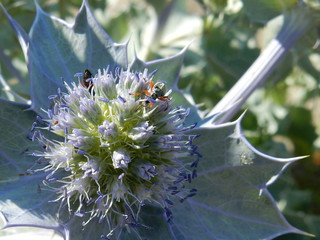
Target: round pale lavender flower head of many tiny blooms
122 145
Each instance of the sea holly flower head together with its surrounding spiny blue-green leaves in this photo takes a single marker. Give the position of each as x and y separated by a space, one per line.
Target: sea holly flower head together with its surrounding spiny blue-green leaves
114 150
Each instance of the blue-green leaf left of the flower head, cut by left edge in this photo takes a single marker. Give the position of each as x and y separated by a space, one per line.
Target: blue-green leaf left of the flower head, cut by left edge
24 200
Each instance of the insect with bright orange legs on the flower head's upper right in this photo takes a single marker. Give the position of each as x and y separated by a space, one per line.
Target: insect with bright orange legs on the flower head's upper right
156 91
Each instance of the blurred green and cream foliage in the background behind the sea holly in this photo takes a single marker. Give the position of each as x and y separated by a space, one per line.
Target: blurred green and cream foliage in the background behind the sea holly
282 117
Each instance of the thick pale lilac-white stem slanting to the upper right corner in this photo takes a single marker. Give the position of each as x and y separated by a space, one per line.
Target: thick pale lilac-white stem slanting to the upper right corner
296 23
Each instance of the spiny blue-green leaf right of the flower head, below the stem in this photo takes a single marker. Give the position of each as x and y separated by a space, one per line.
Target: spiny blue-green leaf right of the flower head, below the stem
232 201
